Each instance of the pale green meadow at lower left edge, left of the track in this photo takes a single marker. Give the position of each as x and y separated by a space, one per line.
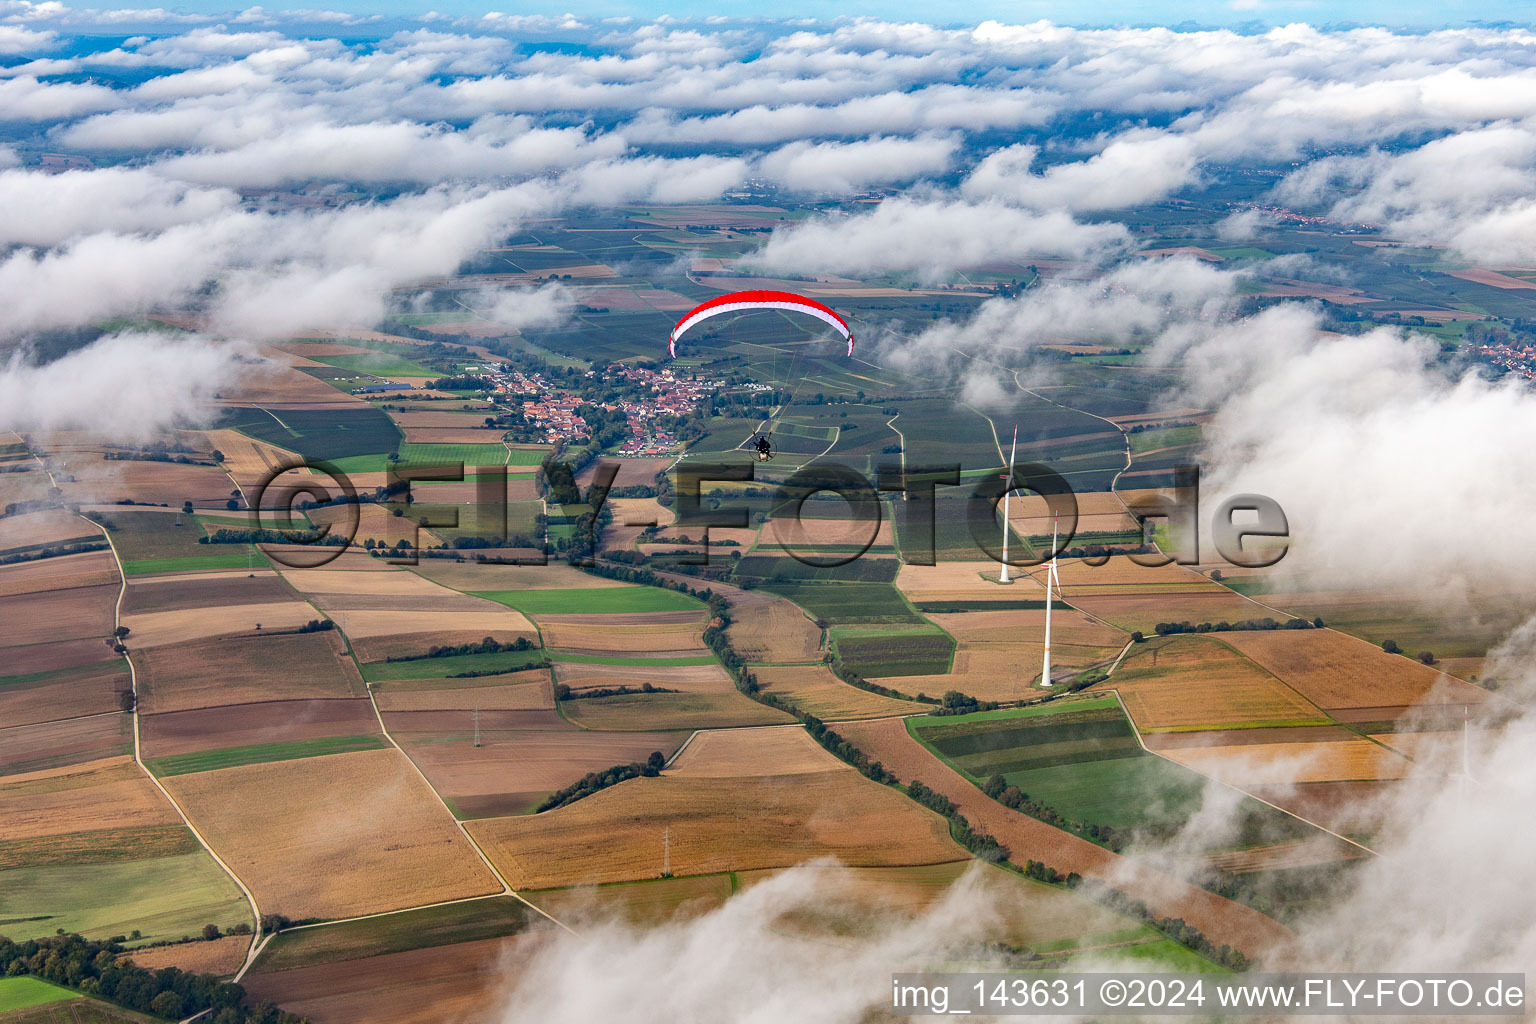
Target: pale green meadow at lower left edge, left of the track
164 897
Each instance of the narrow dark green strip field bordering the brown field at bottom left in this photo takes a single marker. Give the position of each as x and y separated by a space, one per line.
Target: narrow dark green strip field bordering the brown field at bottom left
396 934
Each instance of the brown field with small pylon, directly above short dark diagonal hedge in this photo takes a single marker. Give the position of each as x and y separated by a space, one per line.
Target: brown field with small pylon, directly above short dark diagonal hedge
525 756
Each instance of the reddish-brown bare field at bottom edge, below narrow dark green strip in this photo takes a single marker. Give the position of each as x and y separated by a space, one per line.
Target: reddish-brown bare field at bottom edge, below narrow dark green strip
468 982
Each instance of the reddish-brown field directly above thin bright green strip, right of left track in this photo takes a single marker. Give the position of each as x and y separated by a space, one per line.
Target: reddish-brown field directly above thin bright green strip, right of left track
251 724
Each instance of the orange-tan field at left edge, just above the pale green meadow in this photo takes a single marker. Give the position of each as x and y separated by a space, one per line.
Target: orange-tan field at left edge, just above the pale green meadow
90 798
